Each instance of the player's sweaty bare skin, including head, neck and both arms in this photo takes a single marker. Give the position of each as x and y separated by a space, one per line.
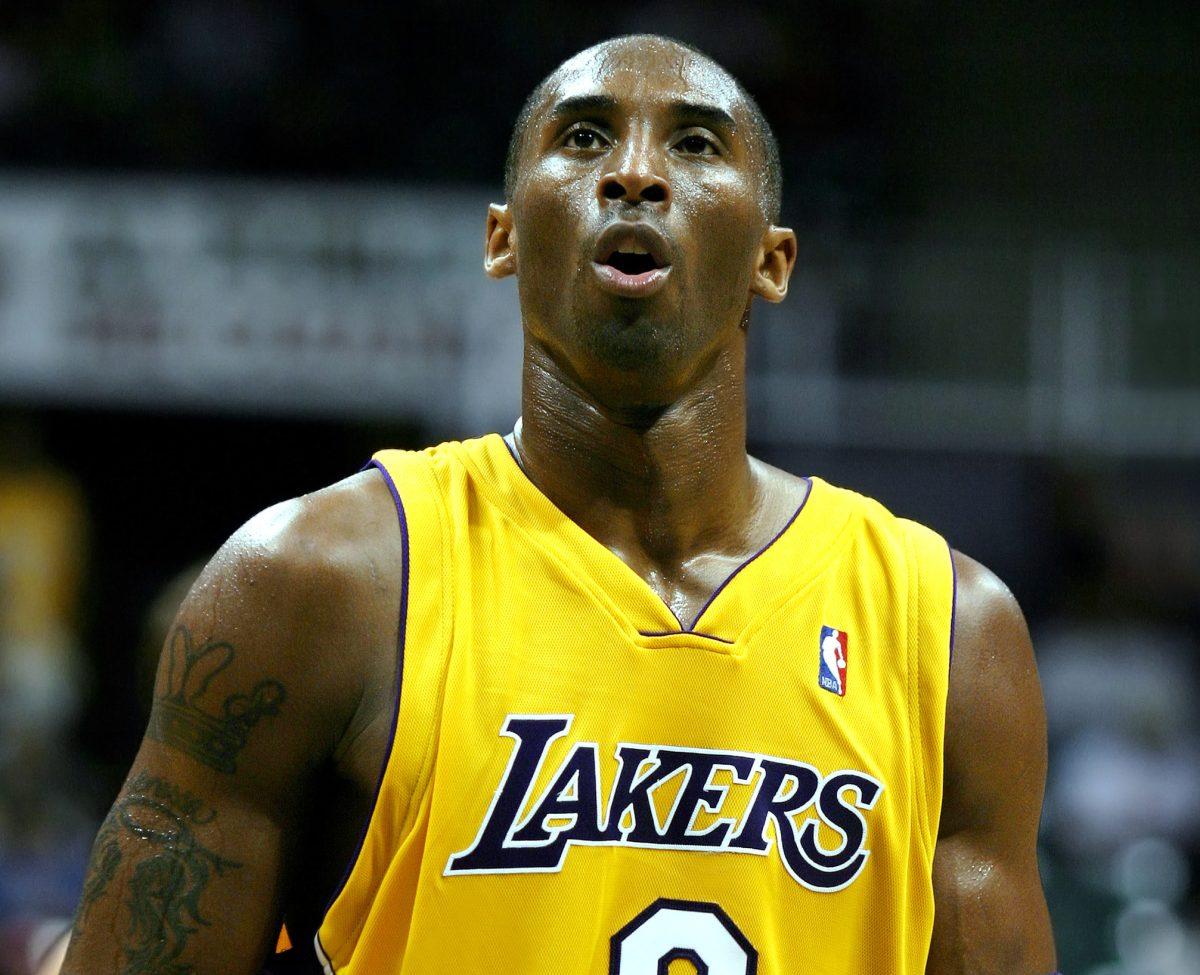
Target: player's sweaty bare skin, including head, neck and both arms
634 426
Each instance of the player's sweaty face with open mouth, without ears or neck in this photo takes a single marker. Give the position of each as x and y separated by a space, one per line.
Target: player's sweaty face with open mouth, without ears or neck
638 220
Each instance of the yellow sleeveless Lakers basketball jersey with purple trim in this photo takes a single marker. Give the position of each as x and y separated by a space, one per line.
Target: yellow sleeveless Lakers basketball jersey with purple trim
579 785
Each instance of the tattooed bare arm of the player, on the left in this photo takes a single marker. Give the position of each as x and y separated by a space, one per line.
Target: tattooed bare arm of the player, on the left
259 684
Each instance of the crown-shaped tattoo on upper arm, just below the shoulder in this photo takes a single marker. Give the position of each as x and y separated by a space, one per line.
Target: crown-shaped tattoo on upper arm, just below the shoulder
184 716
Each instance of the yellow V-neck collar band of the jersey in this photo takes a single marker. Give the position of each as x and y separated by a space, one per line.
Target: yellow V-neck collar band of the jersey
753 589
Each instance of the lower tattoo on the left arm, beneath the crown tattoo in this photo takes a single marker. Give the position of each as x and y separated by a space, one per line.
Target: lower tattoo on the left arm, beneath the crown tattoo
171 871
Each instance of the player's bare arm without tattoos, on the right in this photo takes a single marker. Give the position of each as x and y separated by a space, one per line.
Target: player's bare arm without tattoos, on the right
992 917
